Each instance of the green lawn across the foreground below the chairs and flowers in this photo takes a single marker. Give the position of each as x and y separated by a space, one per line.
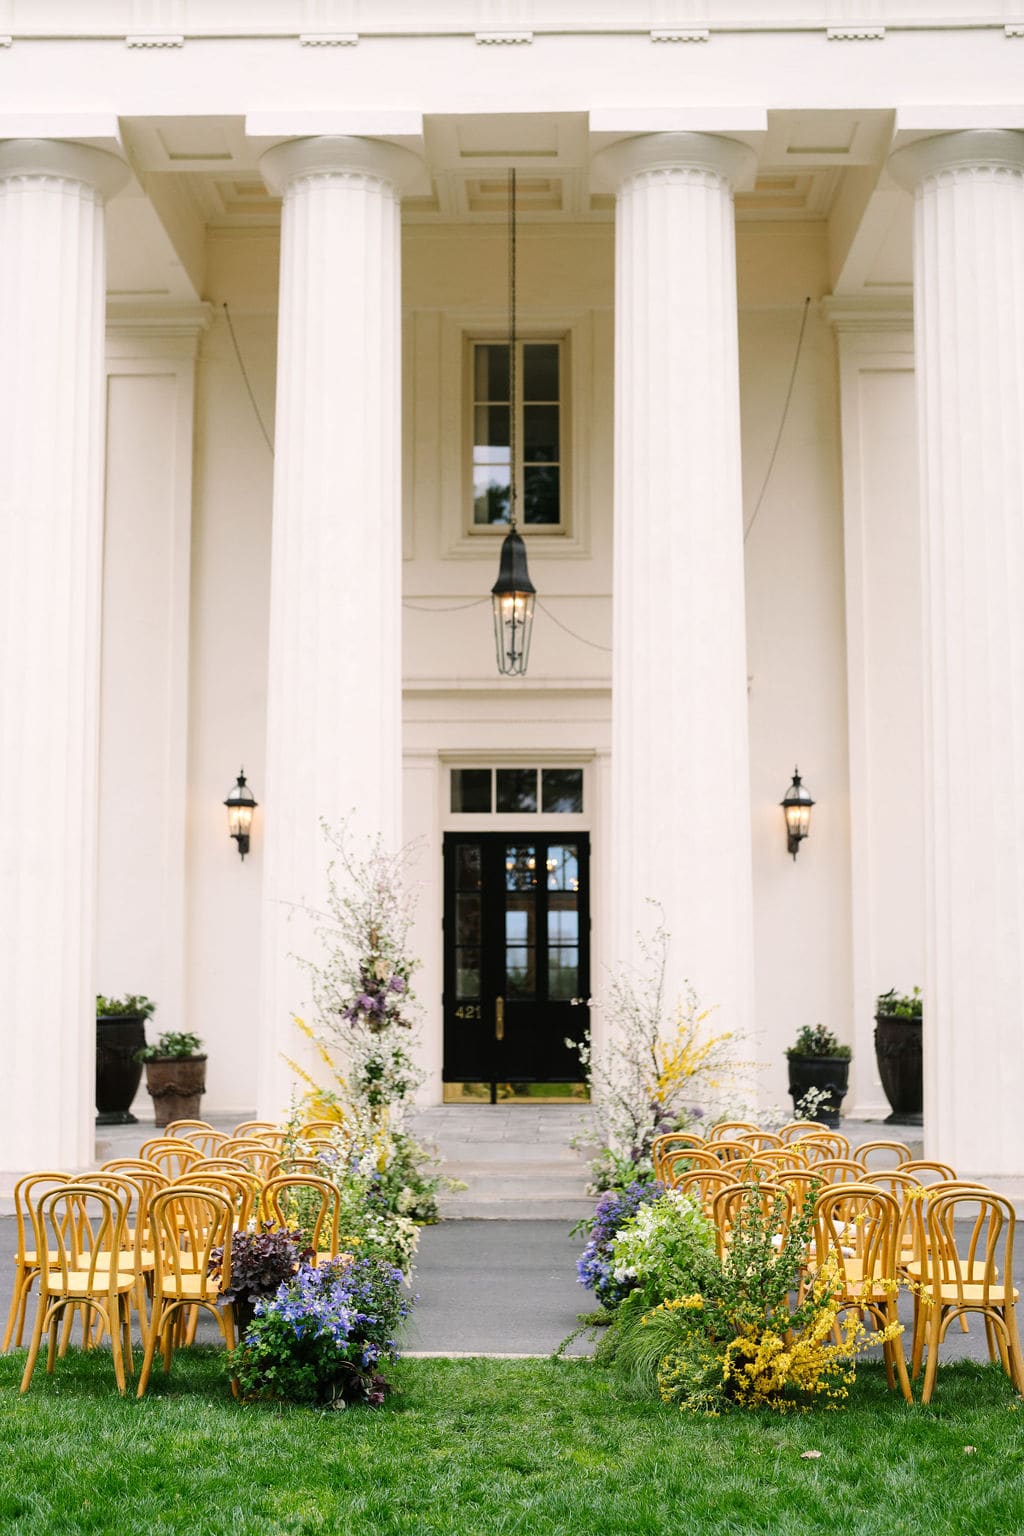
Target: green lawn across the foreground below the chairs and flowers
481 1448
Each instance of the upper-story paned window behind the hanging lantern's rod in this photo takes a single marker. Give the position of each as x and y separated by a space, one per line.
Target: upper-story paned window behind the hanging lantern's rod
540 434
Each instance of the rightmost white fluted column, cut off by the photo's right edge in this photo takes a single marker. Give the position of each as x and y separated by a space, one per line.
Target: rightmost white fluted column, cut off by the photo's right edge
969 345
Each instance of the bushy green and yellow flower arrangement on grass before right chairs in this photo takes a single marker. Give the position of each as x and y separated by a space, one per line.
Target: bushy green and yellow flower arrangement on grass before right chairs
745 1329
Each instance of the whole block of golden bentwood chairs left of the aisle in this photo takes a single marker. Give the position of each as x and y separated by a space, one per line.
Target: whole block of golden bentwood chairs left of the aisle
144 1230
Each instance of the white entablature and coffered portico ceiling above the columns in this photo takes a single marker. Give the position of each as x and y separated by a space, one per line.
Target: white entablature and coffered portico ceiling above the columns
194 91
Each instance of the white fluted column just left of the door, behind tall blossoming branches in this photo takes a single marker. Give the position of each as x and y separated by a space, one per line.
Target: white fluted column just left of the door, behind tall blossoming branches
334 700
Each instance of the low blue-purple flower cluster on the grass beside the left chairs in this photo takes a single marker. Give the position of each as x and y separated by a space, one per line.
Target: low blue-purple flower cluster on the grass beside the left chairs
323 1336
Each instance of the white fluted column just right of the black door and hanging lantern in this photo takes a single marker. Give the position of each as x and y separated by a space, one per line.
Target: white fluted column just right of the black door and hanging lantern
681 778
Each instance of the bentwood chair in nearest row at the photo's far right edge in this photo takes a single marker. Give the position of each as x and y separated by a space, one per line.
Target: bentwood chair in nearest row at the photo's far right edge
979 1279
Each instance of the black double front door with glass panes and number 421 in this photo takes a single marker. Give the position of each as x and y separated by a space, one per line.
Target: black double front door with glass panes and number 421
517 958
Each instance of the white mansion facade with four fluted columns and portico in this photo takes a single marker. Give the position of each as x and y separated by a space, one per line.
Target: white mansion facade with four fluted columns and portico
256 434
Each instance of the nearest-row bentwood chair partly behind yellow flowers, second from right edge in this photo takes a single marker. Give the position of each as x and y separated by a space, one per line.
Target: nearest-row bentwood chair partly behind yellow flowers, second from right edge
857 1233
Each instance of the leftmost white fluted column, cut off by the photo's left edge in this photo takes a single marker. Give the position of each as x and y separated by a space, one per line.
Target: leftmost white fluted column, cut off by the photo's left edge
51 528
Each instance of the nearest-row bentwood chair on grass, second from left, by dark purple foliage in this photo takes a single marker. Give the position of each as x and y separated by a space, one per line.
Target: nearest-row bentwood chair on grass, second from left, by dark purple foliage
190 1222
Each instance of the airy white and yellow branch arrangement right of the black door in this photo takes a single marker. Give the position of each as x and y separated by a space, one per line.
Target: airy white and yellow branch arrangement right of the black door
659 1070
